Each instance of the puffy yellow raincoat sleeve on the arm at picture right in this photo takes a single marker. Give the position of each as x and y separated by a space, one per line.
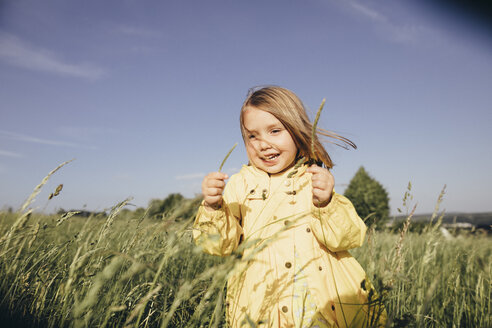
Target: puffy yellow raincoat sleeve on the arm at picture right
337 225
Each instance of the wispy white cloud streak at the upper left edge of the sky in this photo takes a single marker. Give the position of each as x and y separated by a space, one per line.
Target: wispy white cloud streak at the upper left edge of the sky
22 54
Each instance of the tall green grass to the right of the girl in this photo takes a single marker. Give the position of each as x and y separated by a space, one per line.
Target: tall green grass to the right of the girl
441 282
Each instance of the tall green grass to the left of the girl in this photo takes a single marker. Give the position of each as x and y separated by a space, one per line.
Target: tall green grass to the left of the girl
81 273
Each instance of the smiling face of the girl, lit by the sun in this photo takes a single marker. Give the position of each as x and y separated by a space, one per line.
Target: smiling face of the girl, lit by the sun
269 145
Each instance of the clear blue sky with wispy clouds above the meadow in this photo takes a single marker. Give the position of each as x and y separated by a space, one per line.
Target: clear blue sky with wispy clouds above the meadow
145 95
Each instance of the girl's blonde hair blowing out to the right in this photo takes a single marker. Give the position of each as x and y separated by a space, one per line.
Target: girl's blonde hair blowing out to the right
288 109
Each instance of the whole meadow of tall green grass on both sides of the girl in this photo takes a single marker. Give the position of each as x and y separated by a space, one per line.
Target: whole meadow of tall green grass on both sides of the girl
130 269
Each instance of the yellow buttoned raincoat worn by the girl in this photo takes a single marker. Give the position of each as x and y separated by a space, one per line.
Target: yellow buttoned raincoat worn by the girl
288 235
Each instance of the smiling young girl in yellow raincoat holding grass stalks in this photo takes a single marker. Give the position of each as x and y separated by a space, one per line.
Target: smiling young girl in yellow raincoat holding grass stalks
296 270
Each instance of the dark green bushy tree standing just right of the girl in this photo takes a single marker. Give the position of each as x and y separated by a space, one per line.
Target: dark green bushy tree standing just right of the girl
369 197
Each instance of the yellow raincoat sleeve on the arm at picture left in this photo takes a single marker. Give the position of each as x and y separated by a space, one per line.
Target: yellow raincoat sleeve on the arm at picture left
219 232
